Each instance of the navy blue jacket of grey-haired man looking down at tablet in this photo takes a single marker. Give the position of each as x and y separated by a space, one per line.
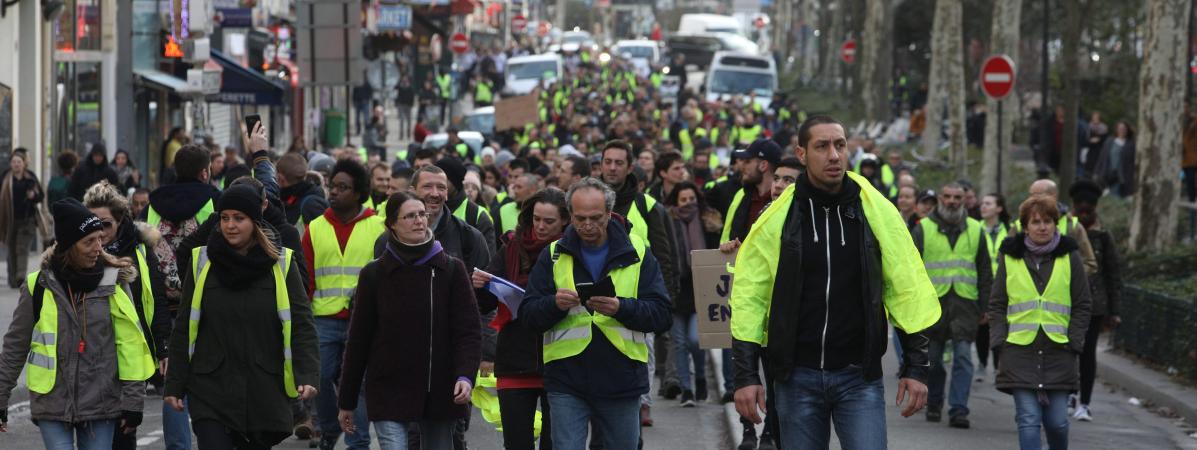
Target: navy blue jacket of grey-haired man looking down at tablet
600 370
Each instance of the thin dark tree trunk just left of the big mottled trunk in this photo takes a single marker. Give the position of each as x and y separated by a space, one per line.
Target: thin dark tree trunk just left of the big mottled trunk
1071 69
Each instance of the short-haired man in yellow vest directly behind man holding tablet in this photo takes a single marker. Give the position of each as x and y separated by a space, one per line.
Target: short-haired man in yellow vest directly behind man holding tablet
651 222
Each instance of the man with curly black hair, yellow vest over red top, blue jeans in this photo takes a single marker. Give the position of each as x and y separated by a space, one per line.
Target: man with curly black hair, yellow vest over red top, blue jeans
337 246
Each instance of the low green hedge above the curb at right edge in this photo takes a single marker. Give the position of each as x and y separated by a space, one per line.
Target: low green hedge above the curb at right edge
1159 330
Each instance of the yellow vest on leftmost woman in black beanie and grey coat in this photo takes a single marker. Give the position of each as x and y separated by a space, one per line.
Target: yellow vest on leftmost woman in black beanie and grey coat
135 363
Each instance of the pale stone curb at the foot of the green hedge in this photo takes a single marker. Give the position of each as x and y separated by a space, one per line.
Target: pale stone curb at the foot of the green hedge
1146 384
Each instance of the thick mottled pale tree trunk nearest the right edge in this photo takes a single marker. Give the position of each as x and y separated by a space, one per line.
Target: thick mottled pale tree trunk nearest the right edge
1160 119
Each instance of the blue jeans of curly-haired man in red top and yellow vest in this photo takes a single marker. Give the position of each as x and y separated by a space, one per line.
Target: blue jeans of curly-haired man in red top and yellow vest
332 335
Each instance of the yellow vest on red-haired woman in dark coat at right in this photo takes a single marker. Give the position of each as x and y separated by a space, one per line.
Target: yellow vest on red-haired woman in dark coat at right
1029 311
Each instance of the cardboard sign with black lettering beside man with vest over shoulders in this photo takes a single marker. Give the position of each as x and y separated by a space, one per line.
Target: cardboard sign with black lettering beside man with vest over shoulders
713 288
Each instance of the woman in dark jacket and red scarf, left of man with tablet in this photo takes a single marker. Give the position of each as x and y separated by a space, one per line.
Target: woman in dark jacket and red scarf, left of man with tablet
519 355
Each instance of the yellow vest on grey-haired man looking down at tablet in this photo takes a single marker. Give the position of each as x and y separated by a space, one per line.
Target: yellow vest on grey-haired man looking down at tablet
573 335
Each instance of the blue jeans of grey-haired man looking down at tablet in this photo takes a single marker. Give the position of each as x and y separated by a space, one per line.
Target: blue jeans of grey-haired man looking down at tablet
618 418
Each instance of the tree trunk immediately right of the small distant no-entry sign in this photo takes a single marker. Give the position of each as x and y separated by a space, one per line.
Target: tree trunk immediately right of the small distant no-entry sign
876 53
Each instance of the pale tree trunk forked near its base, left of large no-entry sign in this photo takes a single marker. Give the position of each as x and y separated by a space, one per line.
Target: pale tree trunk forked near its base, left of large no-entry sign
946 90
